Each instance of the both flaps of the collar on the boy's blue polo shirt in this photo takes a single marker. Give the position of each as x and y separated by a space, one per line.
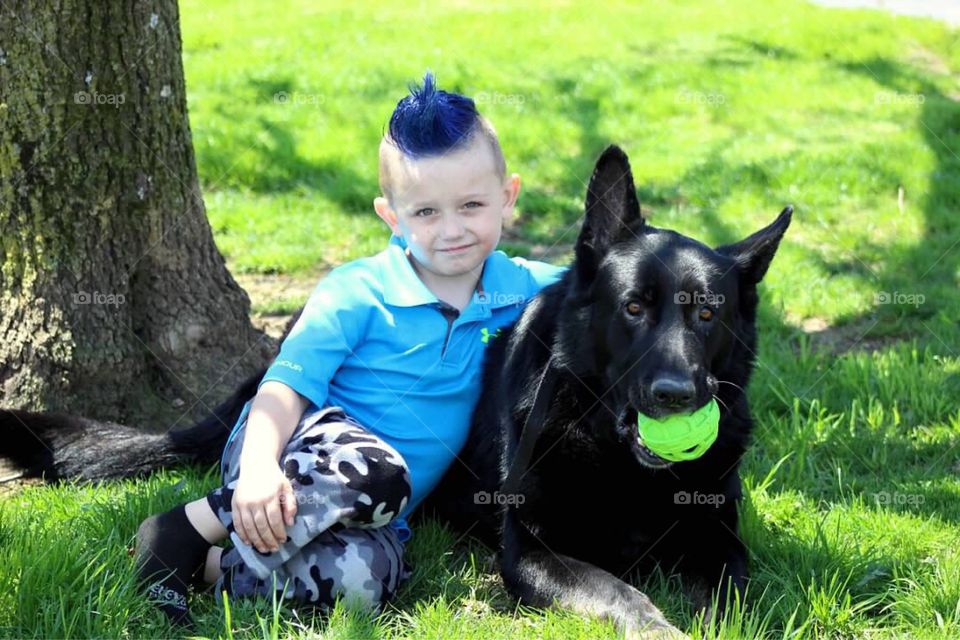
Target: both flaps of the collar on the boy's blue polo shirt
499 284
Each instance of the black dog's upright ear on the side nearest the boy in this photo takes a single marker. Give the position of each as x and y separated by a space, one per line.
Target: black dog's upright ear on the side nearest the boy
612 210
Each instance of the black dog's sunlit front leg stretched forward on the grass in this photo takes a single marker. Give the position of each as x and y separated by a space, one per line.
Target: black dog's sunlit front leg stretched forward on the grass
541 578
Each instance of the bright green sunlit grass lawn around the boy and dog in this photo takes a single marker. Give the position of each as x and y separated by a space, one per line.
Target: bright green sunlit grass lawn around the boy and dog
728 111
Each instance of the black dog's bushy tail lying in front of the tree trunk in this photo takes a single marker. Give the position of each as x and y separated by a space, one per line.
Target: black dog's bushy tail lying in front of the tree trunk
59 447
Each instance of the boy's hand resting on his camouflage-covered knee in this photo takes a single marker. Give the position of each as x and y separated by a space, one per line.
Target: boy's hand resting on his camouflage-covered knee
262 501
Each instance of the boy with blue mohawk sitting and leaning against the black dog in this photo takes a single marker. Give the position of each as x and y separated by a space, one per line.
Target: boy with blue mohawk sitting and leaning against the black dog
370 397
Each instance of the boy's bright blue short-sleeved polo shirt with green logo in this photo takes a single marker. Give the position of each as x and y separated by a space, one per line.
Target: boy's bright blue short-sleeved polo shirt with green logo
374 340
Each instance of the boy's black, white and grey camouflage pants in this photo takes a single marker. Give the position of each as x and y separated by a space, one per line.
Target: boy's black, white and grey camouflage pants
348 485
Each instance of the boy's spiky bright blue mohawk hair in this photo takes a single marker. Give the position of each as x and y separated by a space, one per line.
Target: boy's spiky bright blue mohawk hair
429 121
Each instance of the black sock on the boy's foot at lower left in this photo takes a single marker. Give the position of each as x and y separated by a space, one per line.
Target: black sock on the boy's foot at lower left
168 542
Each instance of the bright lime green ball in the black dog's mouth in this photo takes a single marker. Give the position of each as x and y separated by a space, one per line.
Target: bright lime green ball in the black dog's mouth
681 437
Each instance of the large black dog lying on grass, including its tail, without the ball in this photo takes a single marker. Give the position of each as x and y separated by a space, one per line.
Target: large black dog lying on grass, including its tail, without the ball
645 320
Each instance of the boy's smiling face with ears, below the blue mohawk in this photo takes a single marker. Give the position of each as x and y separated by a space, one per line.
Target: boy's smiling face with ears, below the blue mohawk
449 208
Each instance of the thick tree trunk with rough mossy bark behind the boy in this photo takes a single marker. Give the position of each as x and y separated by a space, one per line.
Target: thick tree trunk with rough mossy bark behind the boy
114 301
